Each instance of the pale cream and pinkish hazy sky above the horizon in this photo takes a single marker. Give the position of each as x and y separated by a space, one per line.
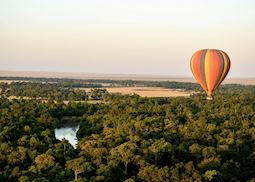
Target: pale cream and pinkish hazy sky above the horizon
156 37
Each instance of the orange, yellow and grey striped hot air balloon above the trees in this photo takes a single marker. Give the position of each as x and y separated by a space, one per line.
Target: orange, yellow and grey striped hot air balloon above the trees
210 67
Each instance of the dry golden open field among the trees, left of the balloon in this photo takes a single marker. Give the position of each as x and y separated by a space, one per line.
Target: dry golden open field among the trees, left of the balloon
147 91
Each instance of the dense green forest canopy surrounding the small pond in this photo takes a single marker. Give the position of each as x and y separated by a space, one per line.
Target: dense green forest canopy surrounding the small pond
127 137
